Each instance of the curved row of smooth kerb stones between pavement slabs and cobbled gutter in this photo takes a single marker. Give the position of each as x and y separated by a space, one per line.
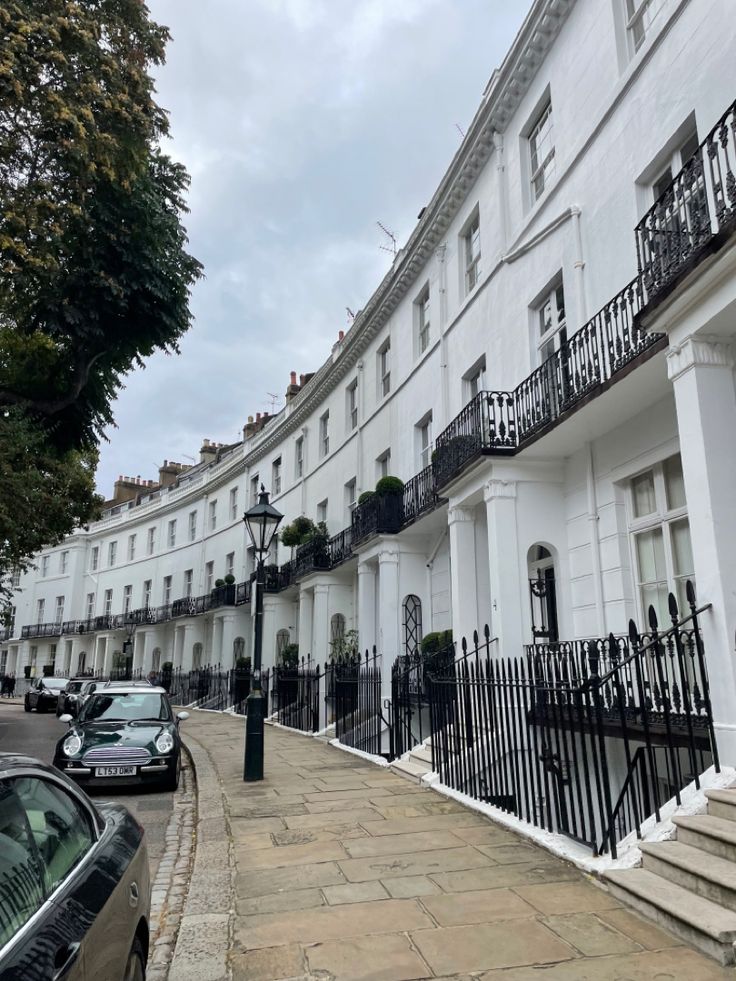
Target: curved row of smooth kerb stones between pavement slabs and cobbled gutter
206 925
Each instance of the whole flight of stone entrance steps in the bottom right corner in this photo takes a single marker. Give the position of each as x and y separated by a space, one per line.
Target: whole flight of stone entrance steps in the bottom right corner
688 884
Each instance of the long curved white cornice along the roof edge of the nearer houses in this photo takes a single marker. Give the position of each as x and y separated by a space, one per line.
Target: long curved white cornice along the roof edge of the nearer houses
505 90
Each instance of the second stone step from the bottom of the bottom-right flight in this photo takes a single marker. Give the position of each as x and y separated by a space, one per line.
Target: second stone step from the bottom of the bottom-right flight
704 874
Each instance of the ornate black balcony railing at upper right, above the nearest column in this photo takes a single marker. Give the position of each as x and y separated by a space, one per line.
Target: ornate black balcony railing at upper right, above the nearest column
695 212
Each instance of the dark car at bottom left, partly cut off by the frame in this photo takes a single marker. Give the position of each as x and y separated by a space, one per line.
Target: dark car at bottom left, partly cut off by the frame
74 881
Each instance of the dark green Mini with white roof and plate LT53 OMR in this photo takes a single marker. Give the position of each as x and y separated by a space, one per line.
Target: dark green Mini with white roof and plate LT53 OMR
123 734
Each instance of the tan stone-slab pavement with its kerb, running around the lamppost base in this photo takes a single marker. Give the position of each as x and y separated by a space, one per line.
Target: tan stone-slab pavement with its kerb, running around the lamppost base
335 868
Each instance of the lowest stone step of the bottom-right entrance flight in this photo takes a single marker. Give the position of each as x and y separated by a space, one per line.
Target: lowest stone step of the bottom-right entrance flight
698 921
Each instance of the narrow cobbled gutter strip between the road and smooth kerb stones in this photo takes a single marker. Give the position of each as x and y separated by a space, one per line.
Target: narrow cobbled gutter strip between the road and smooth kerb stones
168 891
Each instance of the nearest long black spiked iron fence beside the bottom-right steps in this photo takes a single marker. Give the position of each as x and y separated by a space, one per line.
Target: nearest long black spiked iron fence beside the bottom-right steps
568 746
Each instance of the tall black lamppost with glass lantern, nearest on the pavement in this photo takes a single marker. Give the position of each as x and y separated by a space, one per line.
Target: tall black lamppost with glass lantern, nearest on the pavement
262 520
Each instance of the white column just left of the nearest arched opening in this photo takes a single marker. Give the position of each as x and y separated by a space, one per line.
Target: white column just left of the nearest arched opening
507 584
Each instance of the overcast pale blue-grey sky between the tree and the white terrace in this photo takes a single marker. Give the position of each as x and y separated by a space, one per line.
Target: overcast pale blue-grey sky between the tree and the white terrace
301 123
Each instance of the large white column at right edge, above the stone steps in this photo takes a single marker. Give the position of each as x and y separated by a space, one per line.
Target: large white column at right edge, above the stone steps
702 372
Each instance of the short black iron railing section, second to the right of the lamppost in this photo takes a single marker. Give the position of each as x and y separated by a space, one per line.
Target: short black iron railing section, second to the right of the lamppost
357 702
